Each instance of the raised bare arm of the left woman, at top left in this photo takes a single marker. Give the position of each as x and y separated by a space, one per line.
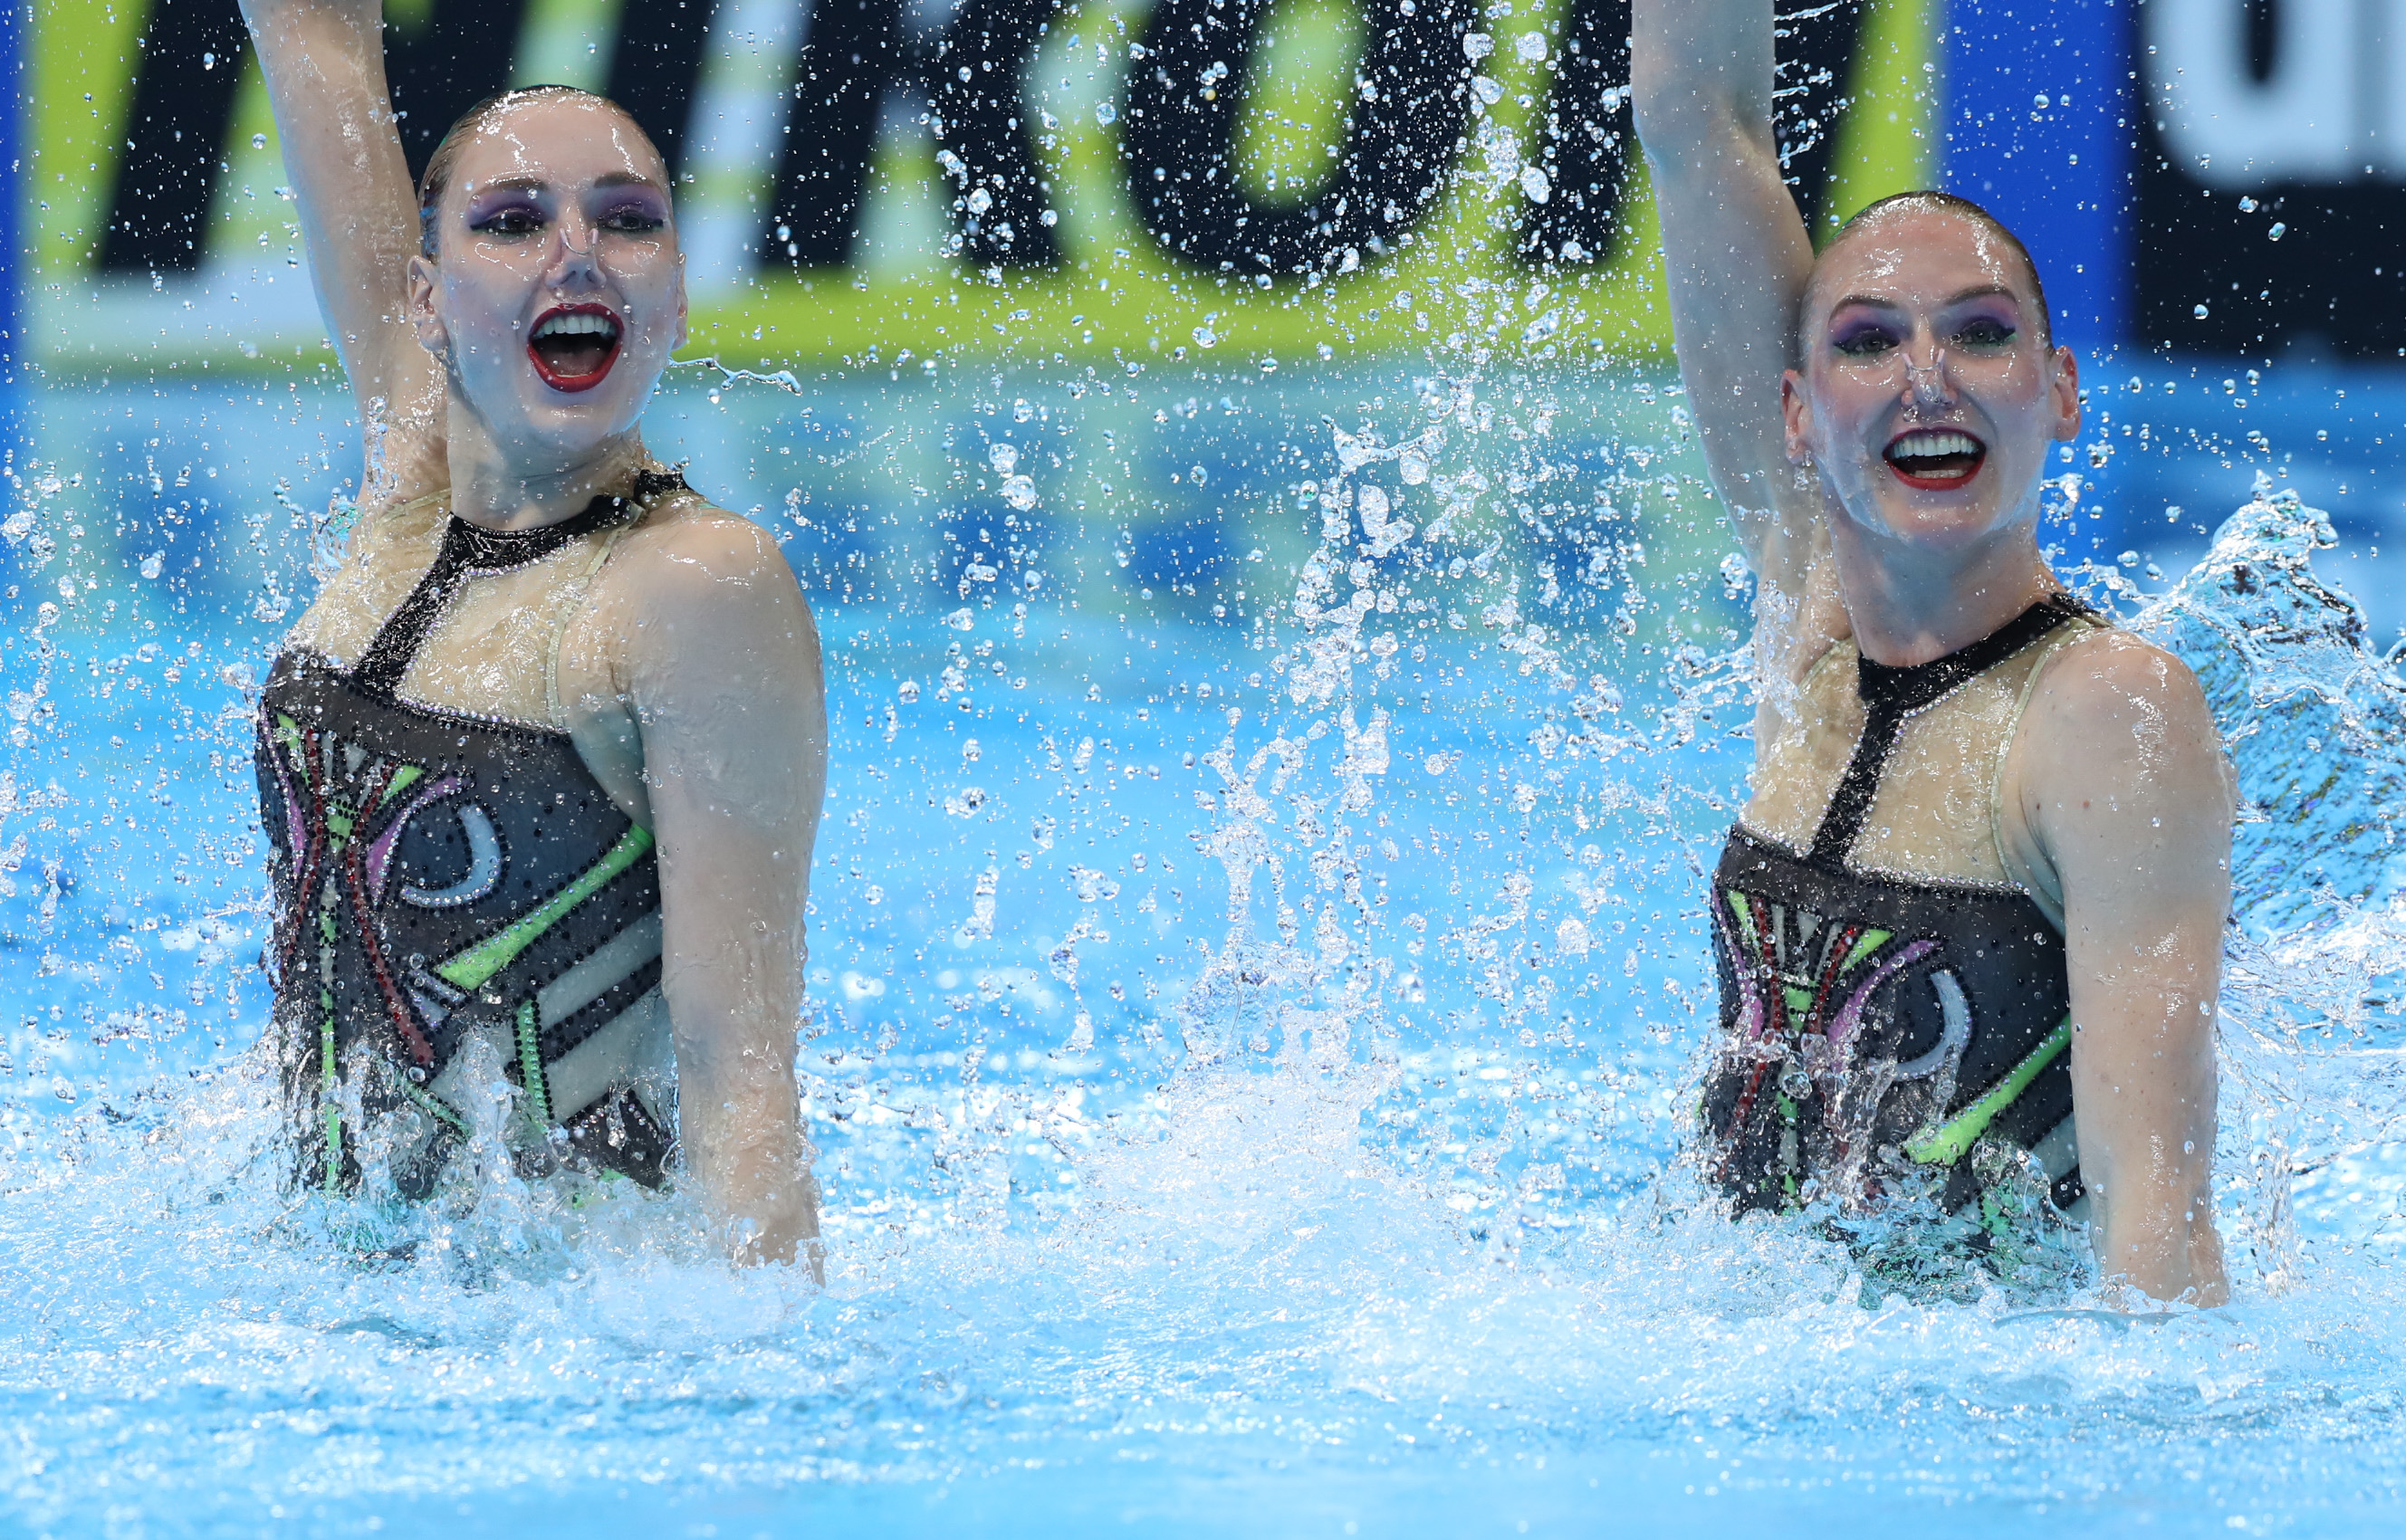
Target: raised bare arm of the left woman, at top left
360 218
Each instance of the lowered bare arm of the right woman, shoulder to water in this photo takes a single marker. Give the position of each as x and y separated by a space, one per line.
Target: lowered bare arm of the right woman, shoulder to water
2128 798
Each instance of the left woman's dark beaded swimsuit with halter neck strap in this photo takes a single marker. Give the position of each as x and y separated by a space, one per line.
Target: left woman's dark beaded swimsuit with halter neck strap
444 879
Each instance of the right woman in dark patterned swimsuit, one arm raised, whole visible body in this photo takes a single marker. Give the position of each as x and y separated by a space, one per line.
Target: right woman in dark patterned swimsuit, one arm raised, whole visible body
1969 923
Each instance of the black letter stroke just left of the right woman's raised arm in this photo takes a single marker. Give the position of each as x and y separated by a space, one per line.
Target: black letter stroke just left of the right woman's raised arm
1587 136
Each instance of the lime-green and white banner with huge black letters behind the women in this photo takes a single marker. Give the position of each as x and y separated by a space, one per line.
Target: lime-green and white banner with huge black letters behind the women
867 179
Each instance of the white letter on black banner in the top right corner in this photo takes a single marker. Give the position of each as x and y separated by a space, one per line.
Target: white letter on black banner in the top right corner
2318 117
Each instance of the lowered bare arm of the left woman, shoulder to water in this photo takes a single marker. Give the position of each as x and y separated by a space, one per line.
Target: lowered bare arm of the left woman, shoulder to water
735 747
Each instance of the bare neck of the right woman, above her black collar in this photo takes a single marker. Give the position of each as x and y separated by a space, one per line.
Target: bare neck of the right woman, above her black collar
1912 608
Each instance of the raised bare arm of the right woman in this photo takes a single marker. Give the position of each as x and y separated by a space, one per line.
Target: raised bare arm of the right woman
1738 259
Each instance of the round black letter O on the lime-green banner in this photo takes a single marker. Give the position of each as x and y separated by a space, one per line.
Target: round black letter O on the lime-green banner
1183 131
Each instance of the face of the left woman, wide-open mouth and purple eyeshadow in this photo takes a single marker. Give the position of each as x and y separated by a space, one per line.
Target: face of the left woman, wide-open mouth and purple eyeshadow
557 290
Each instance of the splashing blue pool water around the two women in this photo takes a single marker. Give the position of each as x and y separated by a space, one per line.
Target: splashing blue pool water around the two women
1351 1209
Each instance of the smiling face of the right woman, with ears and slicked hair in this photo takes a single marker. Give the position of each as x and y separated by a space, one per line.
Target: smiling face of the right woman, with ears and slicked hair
1928 396
